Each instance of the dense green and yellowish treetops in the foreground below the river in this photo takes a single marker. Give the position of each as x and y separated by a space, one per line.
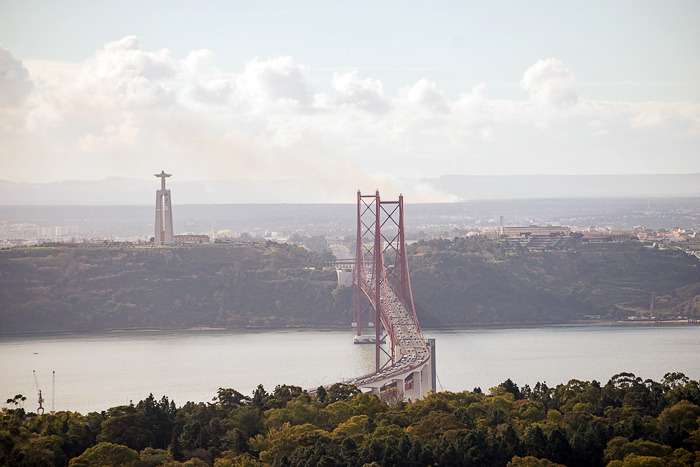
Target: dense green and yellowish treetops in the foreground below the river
626 422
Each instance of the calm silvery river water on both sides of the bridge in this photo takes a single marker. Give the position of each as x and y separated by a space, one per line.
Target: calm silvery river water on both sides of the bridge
95 372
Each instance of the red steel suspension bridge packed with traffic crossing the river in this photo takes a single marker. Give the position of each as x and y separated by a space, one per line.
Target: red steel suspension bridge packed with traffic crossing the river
383 301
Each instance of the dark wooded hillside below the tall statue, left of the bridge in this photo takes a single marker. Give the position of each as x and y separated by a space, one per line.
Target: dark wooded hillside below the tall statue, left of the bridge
96 288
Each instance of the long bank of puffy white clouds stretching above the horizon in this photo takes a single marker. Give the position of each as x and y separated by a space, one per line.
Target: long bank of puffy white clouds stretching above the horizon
130 112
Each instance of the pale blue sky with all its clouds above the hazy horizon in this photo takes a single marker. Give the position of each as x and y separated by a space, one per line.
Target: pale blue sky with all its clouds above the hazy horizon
362 94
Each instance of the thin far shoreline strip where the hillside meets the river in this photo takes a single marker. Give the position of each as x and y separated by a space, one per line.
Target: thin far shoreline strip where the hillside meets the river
49 333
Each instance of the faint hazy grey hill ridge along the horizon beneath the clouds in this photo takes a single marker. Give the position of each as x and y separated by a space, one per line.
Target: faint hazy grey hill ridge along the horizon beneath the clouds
127 191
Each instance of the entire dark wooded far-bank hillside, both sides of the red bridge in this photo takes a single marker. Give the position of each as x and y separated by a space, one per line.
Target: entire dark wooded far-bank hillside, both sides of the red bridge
459 282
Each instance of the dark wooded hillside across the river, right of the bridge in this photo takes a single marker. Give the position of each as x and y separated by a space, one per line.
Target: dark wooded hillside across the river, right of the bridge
473 280
